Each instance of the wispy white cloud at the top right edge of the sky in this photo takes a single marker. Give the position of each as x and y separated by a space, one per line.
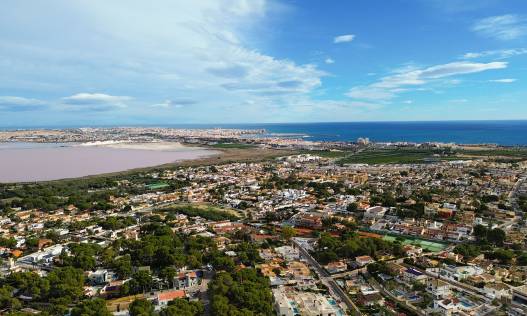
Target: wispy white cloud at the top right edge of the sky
502 27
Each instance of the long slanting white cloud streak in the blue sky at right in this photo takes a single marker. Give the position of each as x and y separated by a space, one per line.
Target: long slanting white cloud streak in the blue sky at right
390 86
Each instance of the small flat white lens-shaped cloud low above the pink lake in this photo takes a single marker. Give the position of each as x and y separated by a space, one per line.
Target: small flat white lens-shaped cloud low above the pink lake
97 101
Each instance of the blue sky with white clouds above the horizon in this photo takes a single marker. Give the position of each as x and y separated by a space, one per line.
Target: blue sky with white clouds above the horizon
100 62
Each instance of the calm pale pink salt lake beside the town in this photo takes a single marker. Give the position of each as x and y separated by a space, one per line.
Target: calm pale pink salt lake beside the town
21 162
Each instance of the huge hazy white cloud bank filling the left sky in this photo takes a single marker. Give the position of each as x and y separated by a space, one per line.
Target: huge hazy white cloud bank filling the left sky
206 49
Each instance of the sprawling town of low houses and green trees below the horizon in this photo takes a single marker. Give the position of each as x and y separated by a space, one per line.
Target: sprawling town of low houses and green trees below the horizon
322 229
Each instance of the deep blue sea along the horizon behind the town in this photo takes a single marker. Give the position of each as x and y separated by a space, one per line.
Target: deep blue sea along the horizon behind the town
508 133
